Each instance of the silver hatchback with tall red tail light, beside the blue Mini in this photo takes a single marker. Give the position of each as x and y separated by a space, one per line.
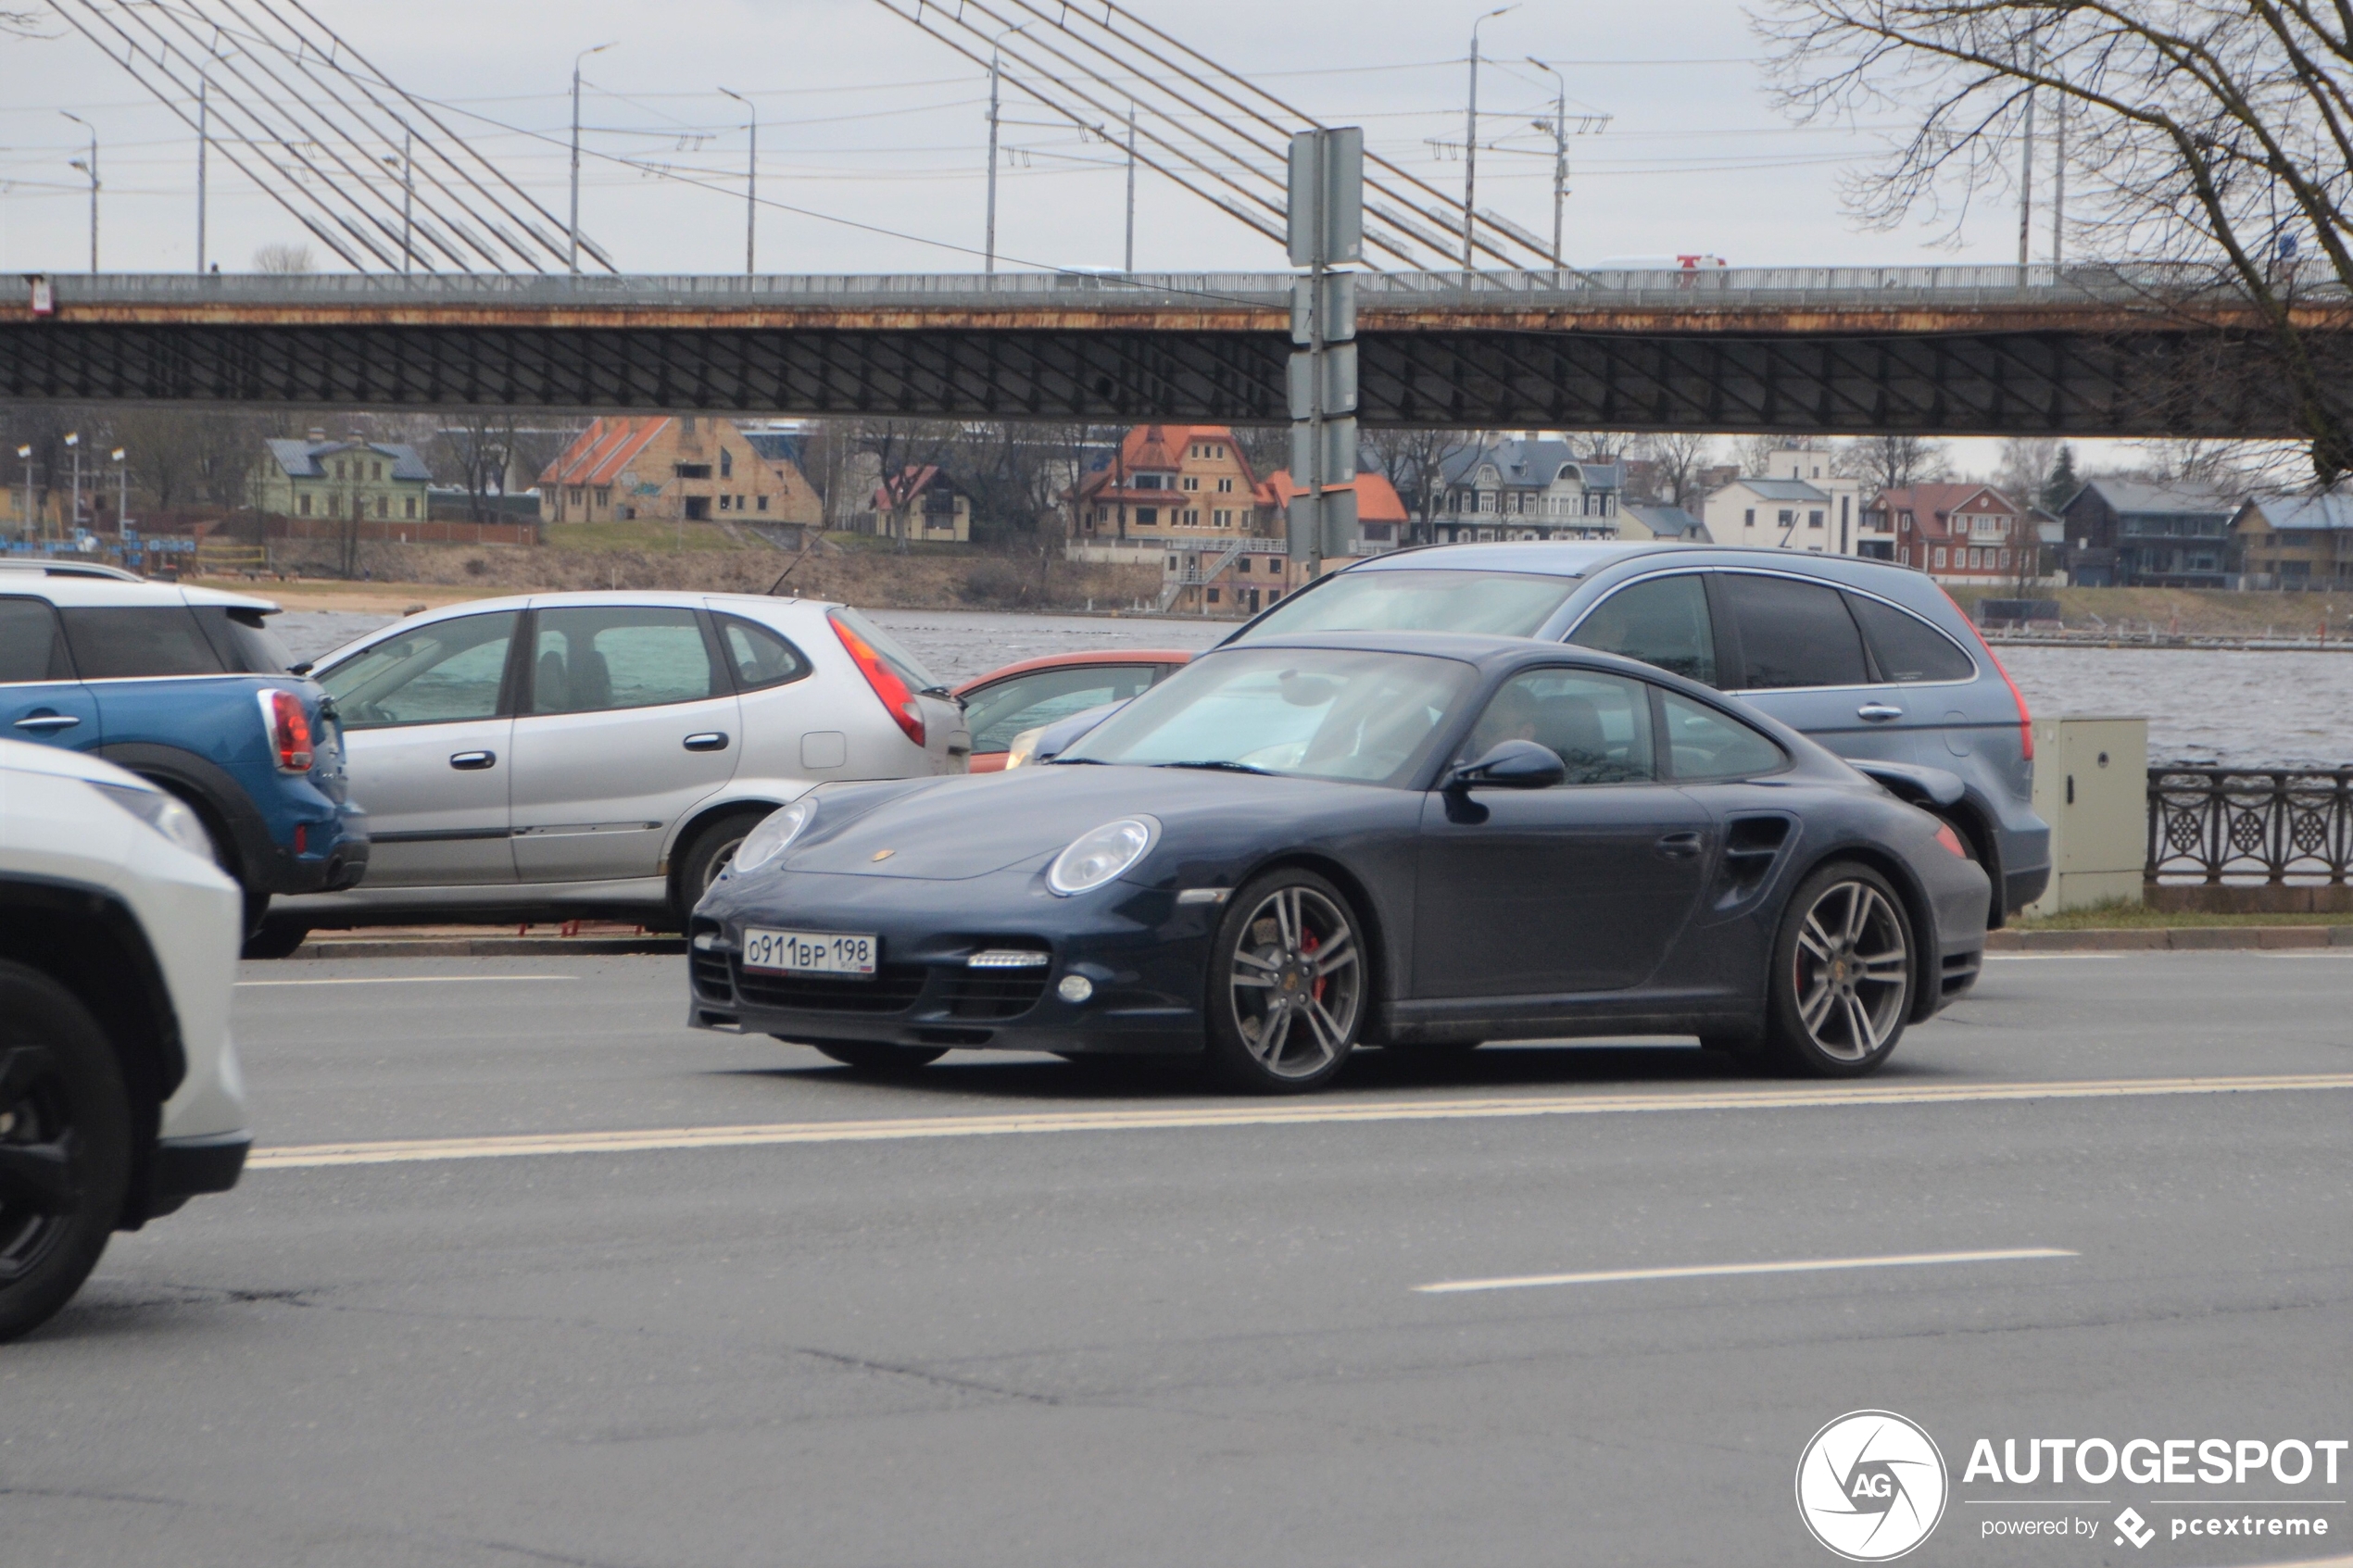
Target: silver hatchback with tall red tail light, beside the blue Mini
604 753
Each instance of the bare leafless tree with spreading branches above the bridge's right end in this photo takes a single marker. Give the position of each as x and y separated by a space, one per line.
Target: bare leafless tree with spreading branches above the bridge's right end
2206 135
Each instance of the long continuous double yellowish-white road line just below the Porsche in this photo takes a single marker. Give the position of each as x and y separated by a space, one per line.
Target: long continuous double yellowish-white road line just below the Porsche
632 1141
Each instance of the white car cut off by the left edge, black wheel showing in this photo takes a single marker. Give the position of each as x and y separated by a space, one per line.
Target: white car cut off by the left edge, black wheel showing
119 1083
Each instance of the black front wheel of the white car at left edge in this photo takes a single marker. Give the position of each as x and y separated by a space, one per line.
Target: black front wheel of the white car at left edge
65 1146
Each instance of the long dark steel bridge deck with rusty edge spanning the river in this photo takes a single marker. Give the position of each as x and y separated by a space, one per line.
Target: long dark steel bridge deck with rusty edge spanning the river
1933 351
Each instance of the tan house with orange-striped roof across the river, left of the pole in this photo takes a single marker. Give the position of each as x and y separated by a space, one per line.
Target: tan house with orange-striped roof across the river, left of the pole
674 469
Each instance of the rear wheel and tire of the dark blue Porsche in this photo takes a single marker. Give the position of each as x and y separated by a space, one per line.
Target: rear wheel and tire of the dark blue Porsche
1844 974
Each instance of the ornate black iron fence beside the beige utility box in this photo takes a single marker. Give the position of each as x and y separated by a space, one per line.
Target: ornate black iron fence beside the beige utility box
2251 826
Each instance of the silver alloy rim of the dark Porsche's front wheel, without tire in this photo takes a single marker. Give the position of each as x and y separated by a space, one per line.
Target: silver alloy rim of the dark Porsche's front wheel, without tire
1298 984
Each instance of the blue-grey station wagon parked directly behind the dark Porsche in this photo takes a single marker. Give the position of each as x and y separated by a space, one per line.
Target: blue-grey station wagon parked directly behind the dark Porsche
1869 659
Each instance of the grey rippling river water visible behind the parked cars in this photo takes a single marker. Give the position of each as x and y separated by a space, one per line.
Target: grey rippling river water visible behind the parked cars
2201 706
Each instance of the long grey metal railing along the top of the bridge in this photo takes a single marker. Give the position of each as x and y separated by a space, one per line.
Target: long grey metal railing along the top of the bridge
1907 286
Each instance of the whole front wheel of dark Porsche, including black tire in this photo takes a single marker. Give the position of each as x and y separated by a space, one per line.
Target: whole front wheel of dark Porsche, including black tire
1288 986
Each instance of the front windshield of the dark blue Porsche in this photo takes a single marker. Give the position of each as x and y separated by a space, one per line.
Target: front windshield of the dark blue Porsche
1312 713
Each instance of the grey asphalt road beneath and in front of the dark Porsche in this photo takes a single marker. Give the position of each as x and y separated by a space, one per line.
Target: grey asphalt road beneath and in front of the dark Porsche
1022 1313
